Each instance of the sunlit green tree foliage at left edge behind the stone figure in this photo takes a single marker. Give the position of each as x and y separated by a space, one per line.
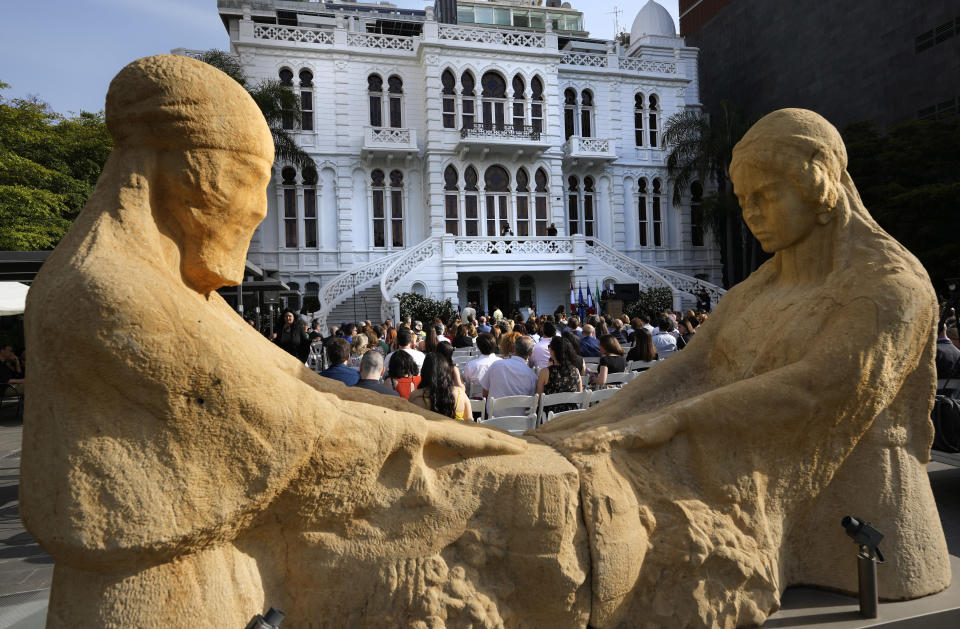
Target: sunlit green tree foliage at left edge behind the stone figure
49 164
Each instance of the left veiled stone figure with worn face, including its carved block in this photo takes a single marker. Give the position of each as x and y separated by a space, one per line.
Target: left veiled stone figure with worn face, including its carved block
184 471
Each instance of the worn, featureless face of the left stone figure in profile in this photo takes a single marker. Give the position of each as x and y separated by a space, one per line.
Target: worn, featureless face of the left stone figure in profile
218 198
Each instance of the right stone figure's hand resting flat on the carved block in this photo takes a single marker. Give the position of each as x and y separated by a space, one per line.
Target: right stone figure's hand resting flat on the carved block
600 435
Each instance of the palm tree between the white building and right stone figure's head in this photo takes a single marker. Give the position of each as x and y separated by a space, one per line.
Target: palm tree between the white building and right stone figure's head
701 150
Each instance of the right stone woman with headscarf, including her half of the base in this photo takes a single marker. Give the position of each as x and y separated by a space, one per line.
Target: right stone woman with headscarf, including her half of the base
719 478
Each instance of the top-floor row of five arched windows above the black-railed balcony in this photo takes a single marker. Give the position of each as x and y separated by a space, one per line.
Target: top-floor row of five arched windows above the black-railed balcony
499 104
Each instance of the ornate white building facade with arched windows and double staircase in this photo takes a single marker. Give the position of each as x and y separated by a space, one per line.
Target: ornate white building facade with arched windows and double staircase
447 154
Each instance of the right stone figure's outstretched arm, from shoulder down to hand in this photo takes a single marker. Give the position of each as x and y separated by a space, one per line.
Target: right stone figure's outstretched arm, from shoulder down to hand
853 368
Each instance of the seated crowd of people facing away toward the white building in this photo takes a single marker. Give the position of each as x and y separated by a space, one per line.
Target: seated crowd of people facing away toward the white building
511 355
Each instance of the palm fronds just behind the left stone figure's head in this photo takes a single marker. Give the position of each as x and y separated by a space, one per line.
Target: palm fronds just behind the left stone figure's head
277 102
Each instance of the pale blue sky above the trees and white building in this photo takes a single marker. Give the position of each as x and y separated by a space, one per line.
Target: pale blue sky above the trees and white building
67 51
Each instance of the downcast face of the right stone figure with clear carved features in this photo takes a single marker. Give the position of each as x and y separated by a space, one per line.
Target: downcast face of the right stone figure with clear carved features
773 208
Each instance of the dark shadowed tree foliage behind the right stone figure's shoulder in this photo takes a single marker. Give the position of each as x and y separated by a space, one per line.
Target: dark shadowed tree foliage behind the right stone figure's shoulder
909 180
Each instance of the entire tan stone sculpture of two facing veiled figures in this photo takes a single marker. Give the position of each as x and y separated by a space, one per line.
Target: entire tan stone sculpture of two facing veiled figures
183 470
